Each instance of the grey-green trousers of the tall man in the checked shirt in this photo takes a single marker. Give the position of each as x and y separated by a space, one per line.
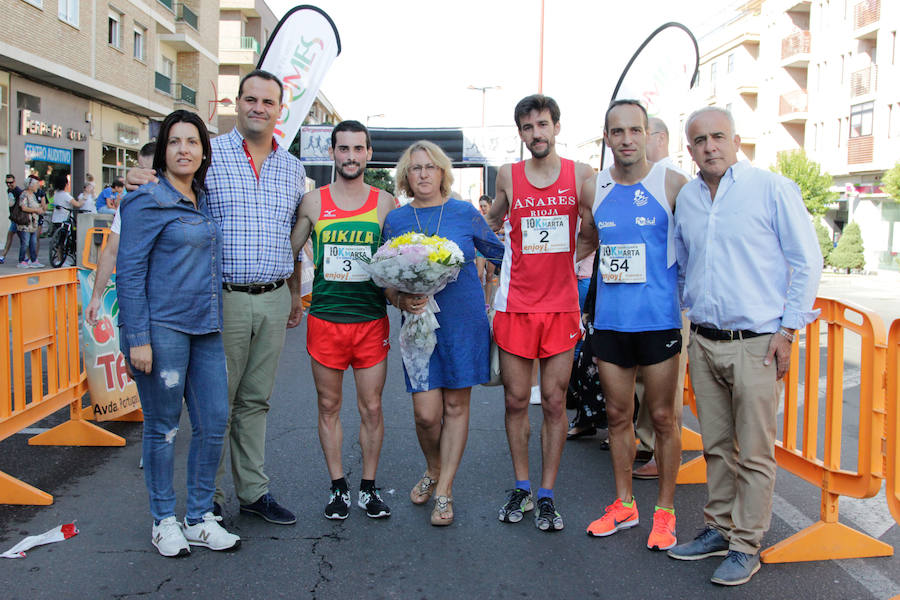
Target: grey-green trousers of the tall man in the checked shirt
254 336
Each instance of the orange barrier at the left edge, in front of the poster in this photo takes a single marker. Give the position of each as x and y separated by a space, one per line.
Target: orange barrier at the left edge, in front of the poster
40 333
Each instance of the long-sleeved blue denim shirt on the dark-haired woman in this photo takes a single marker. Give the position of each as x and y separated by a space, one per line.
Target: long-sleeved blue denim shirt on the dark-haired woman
169 267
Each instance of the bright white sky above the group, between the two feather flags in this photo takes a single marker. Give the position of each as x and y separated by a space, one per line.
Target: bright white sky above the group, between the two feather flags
413 61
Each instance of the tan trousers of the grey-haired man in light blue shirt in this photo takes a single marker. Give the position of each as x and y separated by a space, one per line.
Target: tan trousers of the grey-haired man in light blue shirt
737 402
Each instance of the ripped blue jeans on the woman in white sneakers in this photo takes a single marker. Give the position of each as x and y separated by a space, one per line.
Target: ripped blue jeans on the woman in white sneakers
192 367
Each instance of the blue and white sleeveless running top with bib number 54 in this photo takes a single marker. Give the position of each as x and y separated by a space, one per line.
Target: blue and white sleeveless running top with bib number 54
638 290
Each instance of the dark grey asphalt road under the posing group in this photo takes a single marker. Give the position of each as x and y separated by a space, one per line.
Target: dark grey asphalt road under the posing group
102 490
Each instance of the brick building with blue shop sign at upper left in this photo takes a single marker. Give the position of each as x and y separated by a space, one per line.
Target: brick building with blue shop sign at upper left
84 83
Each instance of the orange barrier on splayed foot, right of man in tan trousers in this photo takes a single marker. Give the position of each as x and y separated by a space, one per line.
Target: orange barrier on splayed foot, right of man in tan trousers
829 539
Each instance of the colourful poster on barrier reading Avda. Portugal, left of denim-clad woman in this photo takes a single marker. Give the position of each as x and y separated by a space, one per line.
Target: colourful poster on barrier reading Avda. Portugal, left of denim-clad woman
113 392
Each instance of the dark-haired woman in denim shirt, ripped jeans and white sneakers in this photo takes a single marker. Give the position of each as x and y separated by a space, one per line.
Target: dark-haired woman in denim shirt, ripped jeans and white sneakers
170 299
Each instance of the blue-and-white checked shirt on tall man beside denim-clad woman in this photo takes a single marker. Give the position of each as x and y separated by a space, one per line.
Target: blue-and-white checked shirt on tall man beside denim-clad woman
256 214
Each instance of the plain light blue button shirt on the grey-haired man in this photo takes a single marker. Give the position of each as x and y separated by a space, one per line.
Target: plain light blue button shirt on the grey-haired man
749 259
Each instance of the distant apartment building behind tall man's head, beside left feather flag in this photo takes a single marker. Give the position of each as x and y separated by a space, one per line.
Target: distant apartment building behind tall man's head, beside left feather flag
244 30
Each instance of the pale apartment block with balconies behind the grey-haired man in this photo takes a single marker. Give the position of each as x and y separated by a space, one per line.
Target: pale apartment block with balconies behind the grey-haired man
821 75
